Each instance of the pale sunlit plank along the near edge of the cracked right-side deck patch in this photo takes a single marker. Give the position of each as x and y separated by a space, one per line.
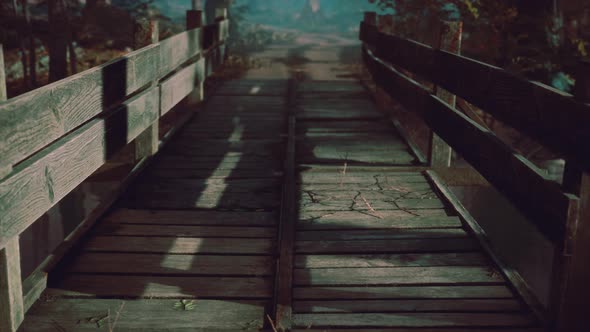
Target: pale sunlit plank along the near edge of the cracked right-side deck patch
344 221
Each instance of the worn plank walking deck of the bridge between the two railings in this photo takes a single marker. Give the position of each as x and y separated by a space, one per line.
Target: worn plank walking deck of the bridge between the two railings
193 246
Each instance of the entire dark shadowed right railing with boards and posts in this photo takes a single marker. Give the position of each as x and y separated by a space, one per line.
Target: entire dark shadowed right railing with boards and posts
559 121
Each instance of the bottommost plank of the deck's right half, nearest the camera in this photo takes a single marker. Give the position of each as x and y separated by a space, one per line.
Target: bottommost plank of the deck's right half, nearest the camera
415 320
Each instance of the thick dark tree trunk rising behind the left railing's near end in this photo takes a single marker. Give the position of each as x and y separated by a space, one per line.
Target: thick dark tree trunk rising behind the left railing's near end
58 43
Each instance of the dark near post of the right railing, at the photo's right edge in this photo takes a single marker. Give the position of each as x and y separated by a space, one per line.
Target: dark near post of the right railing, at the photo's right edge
569 307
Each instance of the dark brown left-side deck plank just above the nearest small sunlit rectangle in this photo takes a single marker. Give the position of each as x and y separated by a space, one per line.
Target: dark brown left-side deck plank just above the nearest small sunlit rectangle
186 231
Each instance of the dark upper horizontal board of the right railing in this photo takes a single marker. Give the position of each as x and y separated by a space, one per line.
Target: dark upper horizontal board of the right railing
552 117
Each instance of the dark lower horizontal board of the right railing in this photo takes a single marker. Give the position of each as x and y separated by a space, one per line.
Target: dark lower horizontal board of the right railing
541 200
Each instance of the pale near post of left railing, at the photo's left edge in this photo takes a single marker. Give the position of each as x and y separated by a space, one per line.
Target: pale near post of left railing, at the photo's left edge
12 310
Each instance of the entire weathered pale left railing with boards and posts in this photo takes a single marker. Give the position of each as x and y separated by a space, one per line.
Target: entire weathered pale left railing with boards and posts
55 137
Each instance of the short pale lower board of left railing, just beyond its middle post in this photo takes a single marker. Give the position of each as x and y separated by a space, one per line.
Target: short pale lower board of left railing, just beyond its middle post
181 84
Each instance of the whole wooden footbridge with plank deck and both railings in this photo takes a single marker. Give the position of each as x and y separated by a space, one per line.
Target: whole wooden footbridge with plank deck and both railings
286 204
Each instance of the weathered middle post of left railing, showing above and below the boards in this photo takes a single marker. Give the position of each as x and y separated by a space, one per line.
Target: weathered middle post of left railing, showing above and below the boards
147 143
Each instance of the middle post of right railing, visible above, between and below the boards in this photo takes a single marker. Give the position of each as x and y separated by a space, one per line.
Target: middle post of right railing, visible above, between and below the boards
449 39
